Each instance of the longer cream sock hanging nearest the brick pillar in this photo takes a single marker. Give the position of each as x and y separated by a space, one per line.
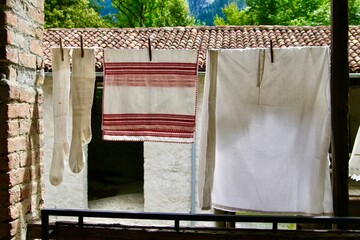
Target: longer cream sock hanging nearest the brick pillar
61 95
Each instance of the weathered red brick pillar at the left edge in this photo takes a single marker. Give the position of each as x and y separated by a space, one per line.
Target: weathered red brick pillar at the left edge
21 124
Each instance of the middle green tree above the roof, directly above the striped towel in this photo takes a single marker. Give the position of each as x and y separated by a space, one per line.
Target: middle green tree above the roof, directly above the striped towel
152 13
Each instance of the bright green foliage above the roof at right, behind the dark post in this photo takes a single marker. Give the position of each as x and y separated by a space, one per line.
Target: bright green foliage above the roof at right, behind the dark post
284 12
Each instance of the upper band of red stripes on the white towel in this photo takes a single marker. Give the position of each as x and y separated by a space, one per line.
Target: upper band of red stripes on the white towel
152 74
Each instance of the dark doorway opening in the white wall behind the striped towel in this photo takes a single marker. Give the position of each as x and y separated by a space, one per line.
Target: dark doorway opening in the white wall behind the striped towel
114 168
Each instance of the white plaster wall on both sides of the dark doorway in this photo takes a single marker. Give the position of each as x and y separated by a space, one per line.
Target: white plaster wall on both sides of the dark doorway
167 170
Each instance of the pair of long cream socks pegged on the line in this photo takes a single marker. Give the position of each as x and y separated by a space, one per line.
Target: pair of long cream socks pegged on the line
82 90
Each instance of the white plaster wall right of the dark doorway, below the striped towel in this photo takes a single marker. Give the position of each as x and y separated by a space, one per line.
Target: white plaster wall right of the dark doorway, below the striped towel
167 172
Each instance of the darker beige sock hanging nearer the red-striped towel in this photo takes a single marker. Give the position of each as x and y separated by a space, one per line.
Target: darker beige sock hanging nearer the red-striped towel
82 94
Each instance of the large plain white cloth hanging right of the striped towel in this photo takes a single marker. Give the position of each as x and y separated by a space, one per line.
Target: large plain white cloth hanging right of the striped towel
265 131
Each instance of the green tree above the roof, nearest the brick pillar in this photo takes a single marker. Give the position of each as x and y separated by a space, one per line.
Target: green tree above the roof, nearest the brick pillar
72 14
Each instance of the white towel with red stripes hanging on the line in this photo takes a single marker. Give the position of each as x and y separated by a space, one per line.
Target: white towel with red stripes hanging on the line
147 100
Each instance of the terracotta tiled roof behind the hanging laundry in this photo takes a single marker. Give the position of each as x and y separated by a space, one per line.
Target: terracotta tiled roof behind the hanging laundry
201 38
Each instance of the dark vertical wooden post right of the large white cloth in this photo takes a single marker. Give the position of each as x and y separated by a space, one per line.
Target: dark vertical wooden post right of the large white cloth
339 105
